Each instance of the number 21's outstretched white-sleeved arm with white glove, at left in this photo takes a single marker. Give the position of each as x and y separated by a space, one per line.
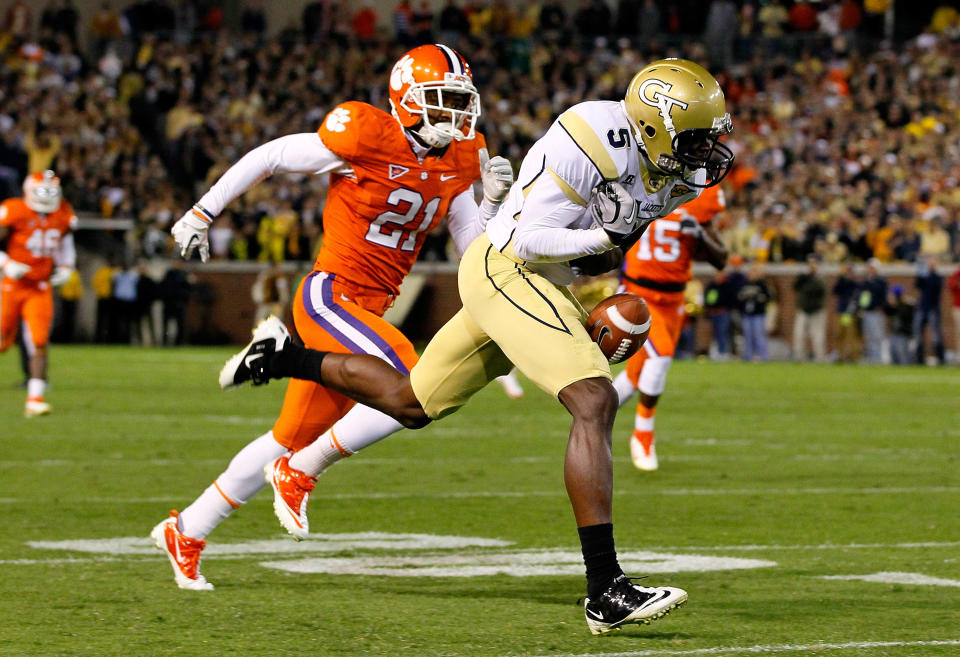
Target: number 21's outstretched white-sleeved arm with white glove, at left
299 153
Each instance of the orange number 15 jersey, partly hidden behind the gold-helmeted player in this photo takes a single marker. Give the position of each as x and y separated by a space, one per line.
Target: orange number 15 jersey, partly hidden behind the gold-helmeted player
665 255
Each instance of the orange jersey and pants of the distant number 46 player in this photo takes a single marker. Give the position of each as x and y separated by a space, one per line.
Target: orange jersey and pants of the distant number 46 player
34 240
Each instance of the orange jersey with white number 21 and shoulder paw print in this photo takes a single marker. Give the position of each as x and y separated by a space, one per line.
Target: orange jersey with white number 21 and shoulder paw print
376 219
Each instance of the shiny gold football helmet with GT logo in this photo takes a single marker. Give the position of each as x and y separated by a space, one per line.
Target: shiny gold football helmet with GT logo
678 114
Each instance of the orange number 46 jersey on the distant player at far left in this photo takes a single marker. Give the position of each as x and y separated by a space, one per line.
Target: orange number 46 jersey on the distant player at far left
35 238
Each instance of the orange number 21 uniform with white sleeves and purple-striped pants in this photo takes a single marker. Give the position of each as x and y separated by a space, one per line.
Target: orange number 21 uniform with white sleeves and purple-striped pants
383 199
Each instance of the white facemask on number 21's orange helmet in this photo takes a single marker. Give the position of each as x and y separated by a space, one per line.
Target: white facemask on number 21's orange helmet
454 103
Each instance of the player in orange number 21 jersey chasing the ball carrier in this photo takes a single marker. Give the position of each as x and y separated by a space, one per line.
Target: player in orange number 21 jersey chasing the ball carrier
393 178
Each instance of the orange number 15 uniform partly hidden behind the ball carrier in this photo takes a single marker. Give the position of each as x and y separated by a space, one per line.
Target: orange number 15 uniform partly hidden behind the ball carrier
658 268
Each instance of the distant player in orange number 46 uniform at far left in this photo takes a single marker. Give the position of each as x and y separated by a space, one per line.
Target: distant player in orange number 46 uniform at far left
36 254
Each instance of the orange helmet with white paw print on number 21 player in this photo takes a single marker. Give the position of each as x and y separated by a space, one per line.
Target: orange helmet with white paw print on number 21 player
435 78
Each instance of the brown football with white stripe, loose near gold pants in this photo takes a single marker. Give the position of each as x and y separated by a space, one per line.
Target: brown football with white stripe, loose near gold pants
619 325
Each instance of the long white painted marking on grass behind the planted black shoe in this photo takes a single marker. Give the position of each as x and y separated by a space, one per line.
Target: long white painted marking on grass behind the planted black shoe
523 564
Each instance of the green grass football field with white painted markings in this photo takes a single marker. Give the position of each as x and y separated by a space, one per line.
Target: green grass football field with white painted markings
806 509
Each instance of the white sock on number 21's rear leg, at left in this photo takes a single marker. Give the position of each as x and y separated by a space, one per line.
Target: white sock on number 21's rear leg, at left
242 479
